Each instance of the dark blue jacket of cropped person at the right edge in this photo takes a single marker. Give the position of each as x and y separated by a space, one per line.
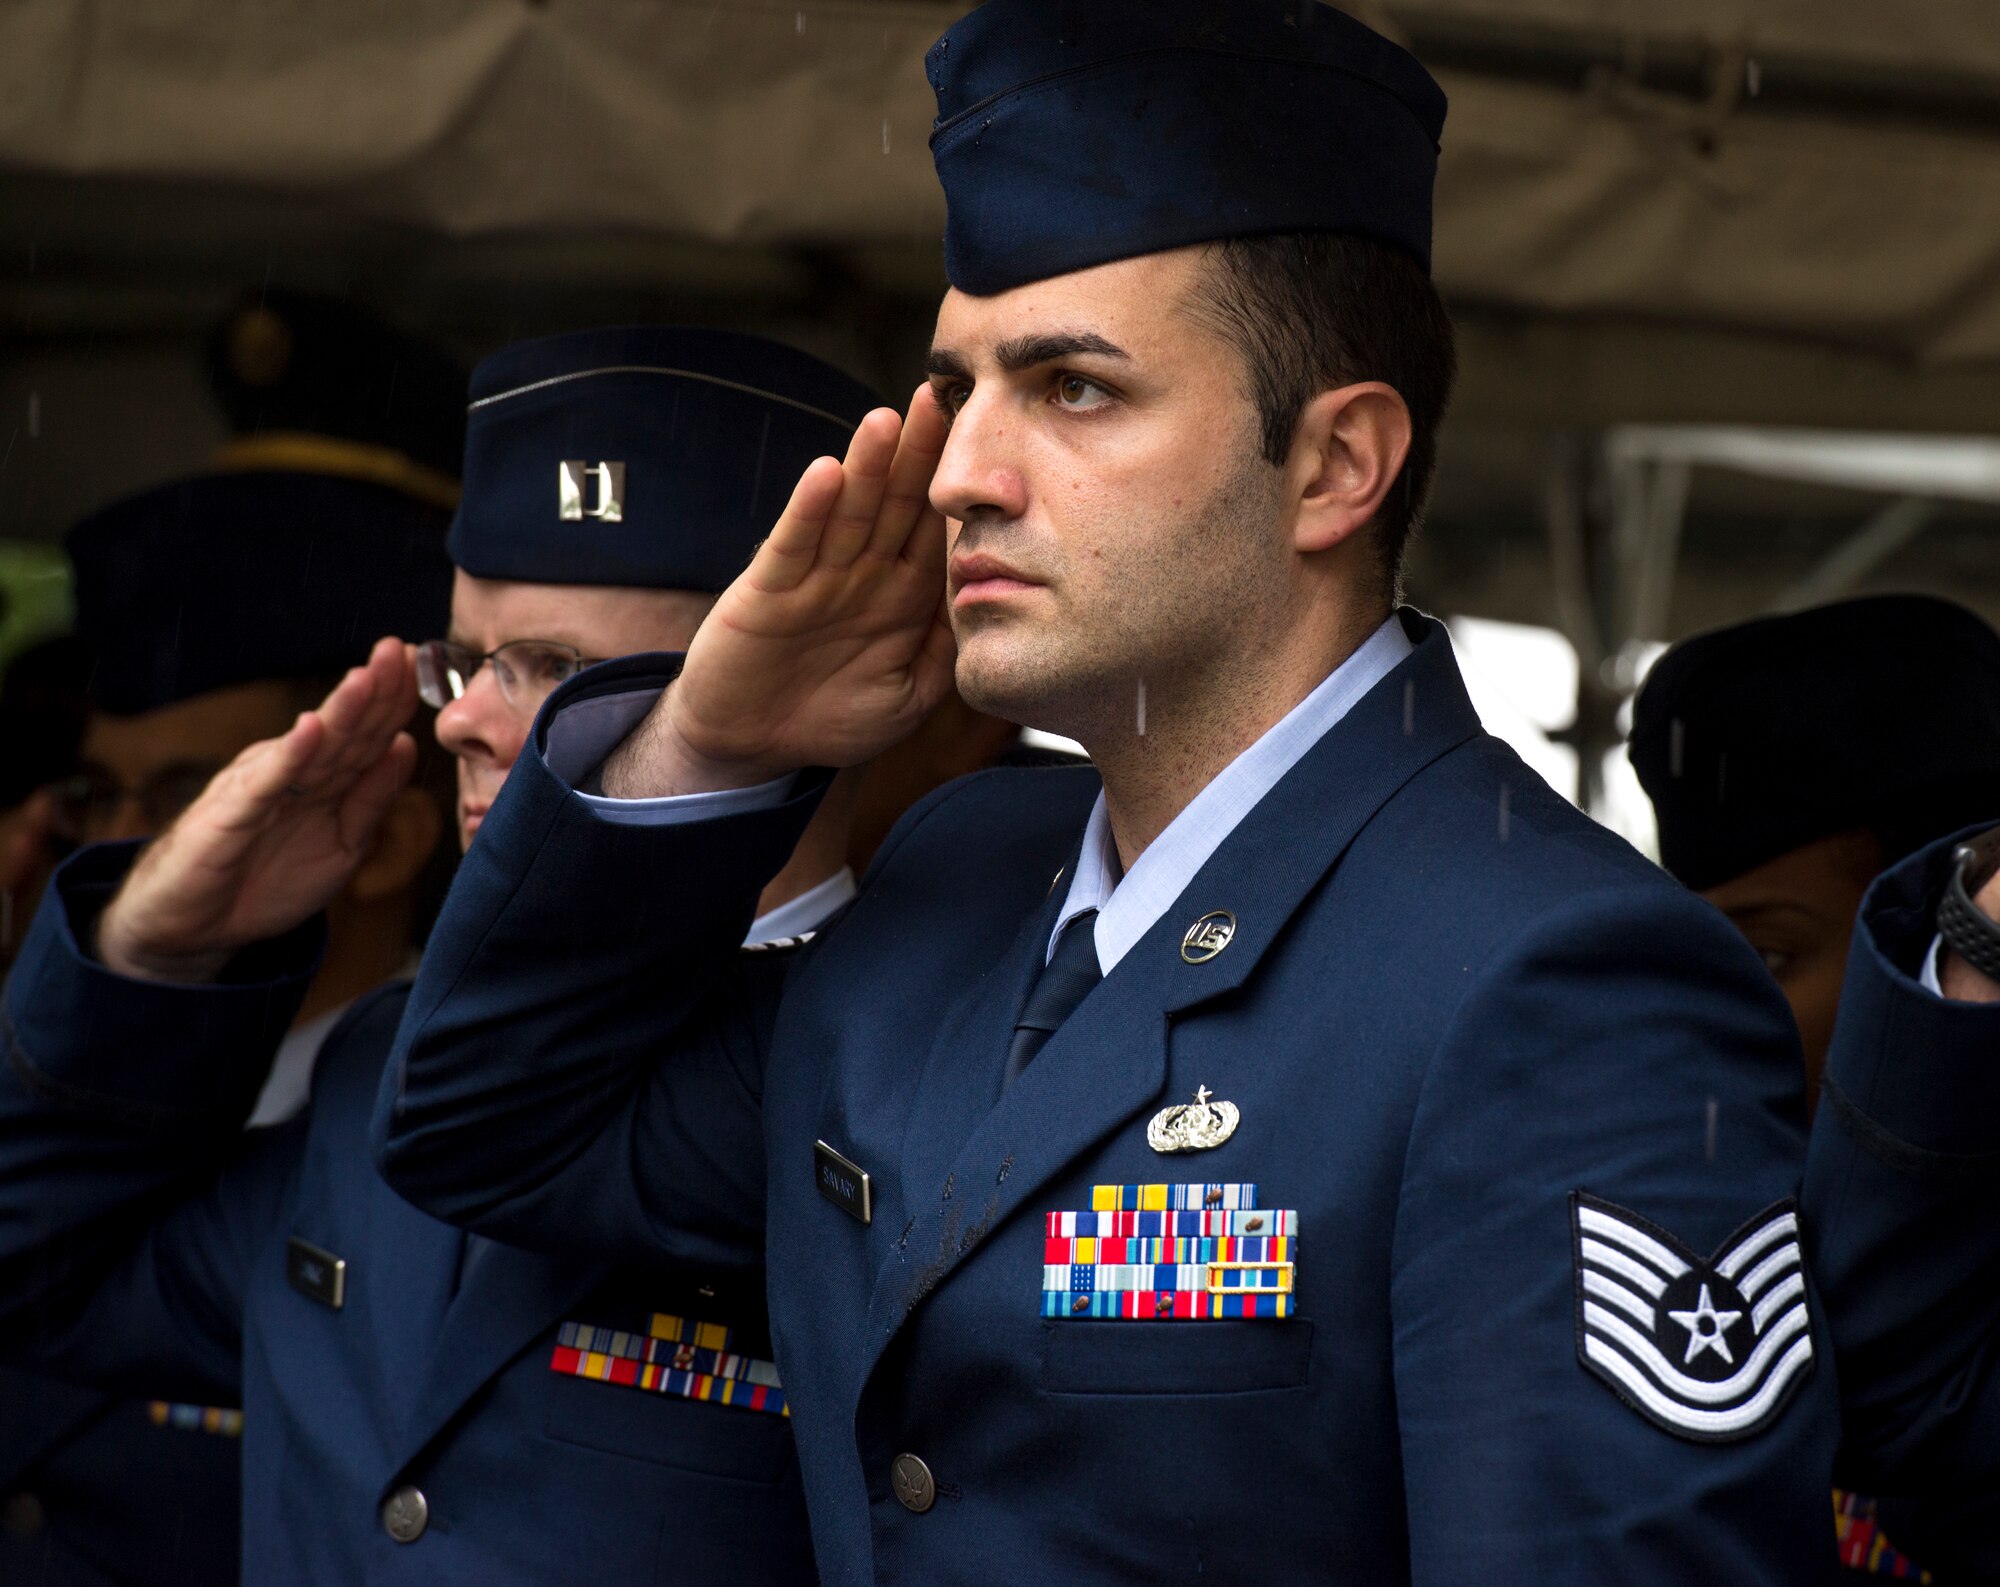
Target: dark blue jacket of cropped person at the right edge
1903 1192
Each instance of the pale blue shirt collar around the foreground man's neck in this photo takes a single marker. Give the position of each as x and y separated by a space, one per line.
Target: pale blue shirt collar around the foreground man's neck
1129 904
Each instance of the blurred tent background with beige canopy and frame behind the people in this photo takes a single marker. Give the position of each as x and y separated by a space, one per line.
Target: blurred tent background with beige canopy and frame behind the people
1727 273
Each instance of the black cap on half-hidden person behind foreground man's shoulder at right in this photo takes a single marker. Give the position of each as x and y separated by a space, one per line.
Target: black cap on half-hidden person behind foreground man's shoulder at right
1767 737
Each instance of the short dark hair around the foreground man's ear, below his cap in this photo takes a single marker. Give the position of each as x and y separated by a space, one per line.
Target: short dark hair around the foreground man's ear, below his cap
1319 311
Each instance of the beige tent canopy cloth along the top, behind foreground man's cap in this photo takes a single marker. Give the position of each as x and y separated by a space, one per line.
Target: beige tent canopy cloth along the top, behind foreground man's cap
1823 169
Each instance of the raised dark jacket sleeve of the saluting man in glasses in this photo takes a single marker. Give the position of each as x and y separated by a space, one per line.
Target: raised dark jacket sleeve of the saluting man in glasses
129 1192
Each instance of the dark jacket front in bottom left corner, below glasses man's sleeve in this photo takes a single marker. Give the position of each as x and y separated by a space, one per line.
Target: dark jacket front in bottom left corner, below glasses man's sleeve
113 1492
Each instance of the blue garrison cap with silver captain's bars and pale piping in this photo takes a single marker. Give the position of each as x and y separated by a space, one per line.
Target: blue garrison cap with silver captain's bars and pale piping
649 457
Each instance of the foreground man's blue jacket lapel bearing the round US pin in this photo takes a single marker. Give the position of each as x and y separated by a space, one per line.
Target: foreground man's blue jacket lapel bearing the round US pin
1109 1060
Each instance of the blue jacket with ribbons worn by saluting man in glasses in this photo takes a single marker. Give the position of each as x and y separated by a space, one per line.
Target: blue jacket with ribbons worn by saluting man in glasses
433 1410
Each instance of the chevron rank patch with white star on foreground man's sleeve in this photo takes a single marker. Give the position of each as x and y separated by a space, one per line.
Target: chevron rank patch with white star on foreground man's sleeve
1707 1348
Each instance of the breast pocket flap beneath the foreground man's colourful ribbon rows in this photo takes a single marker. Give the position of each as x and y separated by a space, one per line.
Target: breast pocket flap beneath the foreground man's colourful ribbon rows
1131 1358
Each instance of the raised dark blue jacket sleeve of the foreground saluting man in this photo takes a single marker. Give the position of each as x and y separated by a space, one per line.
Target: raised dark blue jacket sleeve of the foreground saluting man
581 1062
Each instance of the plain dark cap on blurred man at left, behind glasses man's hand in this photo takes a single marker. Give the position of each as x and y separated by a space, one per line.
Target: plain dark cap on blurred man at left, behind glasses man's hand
233 579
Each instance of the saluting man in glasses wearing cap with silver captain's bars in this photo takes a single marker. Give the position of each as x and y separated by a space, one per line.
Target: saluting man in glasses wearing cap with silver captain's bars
419 1404
